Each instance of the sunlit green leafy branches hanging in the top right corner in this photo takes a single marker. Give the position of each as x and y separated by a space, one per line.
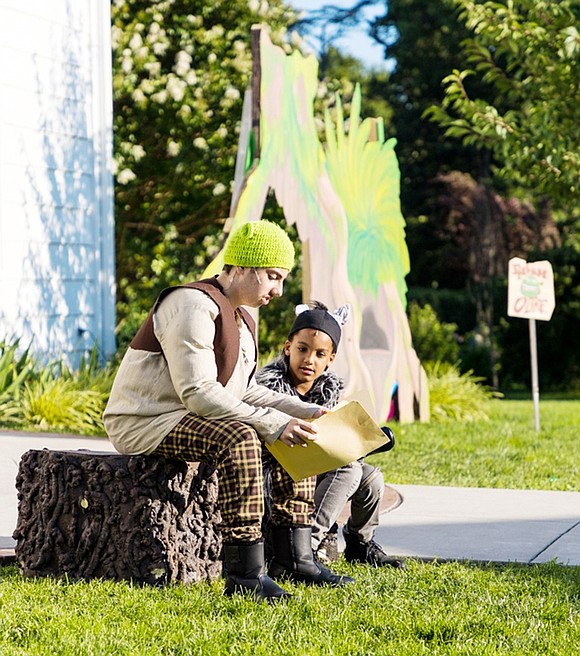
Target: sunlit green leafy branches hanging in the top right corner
527 53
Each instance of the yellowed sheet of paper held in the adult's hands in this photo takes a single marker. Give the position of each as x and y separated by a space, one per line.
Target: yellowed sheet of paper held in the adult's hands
345 434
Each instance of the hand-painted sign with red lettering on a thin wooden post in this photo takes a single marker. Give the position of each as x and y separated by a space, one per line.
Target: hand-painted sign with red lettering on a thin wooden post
531 296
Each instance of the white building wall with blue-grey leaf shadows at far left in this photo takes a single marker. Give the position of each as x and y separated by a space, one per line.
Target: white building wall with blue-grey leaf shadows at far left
56 206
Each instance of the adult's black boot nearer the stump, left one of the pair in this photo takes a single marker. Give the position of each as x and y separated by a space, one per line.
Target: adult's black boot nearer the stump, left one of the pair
244 569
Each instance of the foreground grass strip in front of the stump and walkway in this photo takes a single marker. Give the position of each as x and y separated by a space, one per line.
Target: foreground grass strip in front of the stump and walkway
450 608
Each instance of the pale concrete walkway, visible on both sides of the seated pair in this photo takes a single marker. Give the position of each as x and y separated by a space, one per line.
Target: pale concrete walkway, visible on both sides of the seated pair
442 523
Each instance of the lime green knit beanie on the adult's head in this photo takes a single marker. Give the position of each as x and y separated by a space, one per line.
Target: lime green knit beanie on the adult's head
259 244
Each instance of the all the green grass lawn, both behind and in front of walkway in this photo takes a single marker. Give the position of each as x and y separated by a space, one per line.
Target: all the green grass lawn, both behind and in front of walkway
449 608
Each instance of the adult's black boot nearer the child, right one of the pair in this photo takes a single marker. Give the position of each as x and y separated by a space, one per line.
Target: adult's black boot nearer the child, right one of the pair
293 558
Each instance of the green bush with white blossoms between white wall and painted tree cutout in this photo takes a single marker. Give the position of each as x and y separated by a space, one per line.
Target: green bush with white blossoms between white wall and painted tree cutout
180 71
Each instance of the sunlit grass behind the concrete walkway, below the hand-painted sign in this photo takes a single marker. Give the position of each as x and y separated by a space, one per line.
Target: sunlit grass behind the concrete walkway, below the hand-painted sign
504 452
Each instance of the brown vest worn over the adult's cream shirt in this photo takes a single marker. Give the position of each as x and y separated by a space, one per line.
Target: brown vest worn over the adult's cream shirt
226 343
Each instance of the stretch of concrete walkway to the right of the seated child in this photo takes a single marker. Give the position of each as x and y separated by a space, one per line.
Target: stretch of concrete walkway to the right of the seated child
489 525
